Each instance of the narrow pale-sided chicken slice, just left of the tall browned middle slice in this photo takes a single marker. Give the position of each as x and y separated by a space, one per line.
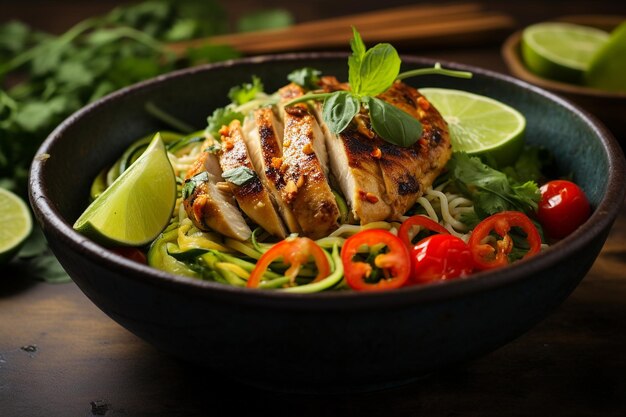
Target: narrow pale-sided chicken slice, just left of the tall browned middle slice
263 135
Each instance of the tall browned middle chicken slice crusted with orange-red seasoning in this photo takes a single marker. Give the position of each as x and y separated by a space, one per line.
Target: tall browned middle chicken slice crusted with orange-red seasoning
304 166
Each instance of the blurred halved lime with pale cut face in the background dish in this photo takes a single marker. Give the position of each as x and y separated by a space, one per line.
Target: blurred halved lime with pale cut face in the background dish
561 51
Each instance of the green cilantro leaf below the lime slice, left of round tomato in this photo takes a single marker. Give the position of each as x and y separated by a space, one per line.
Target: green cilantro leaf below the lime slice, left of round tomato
491 190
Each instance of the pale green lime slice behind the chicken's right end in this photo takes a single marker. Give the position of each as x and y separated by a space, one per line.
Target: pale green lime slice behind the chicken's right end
480 125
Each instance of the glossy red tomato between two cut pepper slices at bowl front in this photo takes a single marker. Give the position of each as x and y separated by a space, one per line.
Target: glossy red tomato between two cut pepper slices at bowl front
440 257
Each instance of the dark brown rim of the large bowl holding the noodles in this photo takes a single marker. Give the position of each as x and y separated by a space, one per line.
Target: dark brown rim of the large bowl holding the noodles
601 219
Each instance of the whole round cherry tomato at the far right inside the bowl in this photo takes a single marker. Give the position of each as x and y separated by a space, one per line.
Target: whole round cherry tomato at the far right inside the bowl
562 209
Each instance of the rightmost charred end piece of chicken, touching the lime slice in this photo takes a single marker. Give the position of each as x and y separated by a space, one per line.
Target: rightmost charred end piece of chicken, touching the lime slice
407 172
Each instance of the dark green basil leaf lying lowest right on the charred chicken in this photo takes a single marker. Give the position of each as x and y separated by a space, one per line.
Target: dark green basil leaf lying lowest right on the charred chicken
392 124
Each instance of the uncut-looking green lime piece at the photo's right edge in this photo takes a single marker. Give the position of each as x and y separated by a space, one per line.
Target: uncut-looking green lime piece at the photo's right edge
608 66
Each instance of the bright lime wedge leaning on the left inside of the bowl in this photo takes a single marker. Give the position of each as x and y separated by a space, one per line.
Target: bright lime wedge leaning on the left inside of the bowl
137 206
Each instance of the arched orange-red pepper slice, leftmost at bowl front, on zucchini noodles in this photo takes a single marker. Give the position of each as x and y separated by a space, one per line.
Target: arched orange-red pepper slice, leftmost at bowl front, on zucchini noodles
295 253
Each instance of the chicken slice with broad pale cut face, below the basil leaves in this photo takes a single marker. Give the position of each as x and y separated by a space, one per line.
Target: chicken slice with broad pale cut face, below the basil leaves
354 165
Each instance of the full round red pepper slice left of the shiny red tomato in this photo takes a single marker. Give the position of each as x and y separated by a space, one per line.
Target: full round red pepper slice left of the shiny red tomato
395 263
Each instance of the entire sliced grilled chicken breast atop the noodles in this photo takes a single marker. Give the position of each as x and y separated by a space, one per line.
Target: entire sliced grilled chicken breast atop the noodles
297 158
